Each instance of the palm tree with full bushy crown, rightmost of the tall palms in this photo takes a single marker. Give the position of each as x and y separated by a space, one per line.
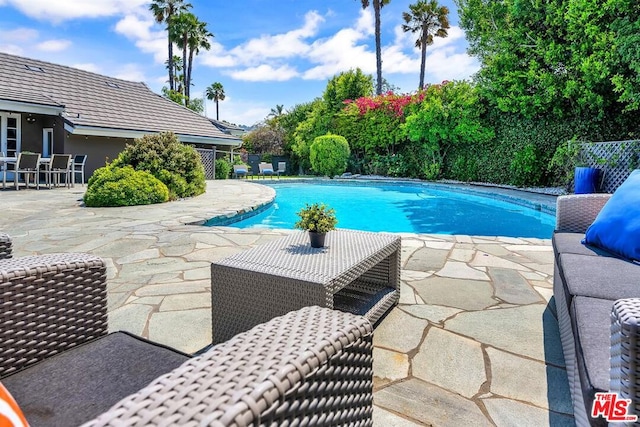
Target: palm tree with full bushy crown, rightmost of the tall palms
429 19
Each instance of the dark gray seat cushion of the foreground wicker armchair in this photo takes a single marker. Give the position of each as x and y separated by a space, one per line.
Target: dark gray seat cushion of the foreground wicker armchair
79 384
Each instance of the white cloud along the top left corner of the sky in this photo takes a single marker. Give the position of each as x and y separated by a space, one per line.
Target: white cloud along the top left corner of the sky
62 10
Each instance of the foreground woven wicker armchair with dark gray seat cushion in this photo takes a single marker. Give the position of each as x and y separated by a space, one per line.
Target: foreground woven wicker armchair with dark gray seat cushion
309 367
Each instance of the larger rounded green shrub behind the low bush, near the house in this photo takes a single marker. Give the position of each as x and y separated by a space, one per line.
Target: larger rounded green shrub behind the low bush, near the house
177 165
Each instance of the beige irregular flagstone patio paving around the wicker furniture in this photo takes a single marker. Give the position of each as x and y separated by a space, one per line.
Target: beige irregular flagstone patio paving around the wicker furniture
474 340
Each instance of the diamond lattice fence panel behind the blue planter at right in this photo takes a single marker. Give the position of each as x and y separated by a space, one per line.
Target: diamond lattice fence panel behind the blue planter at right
615 159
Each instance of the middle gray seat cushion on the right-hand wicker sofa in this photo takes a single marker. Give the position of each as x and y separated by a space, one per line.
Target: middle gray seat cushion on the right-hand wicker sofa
600 277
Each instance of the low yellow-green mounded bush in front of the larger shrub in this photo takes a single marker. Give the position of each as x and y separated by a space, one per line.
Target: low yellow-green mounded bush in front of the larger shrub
124 186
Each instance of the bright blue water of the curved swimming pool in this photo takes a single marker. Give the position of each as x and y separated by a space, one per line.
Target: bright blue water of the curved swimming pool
405 208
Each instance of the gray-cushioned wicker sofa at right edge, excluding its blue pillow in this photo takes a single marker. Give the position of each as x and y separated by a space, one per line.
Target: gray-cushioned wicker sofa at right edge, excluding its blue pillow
587 283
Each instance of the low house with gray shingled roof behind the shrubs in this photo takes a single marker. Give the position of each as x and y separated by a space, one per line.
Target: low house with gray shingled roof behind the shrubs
50 108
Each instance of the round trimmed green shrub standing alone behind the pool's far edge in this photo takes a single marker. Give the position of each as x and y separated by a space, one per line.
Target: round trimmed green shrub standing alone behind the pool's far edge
329 155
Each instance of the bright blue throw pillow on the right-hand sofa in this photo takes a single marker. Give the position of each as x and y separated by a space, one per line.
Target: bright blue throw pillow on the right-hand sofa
617 226
